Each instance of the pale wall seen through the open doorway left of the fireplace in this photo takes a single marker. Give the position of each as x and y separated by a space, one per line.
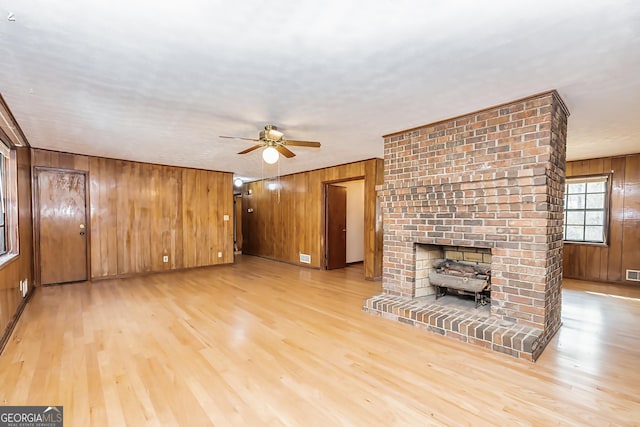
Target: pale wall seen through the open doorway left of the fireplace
355 220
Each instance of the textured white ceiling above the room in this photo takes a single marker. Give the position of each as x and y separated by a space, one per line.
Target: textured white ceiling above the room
158 81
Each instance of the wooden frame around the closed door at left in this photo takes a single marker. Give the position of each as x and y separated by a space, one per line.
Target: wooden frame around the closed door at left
35 202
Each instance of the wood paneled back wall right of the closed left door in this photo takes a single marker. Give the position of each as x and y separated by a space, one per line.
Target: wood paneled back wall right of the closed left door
141 212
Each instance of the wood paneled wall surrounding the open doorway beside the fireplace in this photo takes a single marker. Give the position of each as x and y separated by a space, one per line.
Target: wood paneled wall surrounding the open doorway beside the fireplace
290 221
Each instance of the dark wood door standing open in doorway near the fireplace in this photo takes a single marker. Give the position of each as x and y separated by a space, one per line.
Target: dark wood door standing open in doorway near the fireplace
336 227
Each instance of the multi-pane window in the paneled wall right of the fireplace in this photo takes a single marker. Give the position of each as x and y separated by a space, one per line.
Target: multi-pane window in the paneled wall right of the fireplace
585 209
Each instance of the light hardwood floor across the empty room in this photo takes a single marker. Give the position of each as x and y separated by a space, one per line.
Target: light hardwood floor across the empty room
267 343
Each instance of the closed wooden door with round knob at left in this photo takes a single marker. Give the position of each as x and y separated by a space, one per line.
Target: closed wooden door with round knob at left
62 232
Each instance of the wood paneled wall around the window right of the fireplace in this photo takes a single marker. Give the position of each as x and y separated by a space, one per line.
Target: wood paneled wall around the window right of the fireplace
609 263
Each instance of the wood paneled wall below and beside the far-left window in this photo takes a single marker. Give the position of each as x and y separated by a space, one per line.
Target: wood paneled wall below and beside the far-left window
20 267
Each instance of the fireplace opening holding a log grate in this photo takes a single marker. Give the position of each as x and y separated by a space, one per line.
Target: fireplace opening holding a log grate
455 272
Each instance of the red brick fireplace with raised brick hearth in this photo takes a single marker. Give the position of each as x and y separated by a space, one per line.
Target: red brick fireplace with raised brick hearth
490 185
